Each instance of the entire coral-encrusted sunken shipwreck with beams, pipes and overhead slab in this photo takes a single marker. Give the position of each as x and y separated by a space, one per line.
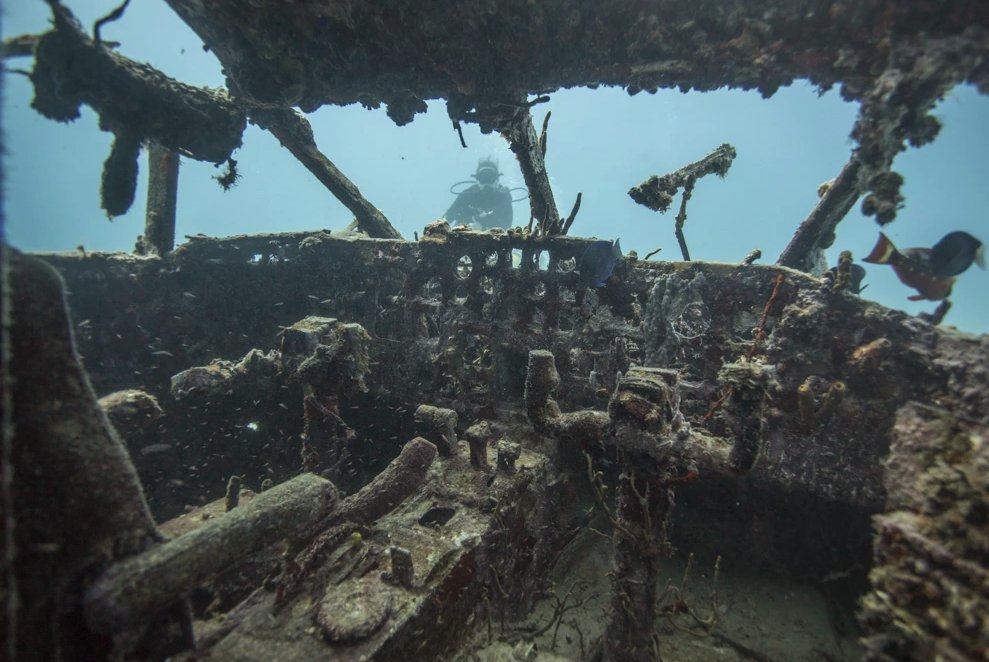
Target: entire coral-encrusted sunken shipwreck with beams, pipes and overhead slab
389 444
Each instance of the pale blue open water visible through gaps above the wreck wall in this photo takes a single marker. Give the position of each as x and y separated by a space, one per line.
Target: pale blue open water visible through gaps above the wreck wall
601 142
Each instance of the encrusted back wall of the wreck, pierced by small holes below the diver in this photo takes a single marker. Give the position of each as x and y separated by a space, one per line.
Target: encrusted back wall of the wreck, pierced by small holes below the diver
456 334
